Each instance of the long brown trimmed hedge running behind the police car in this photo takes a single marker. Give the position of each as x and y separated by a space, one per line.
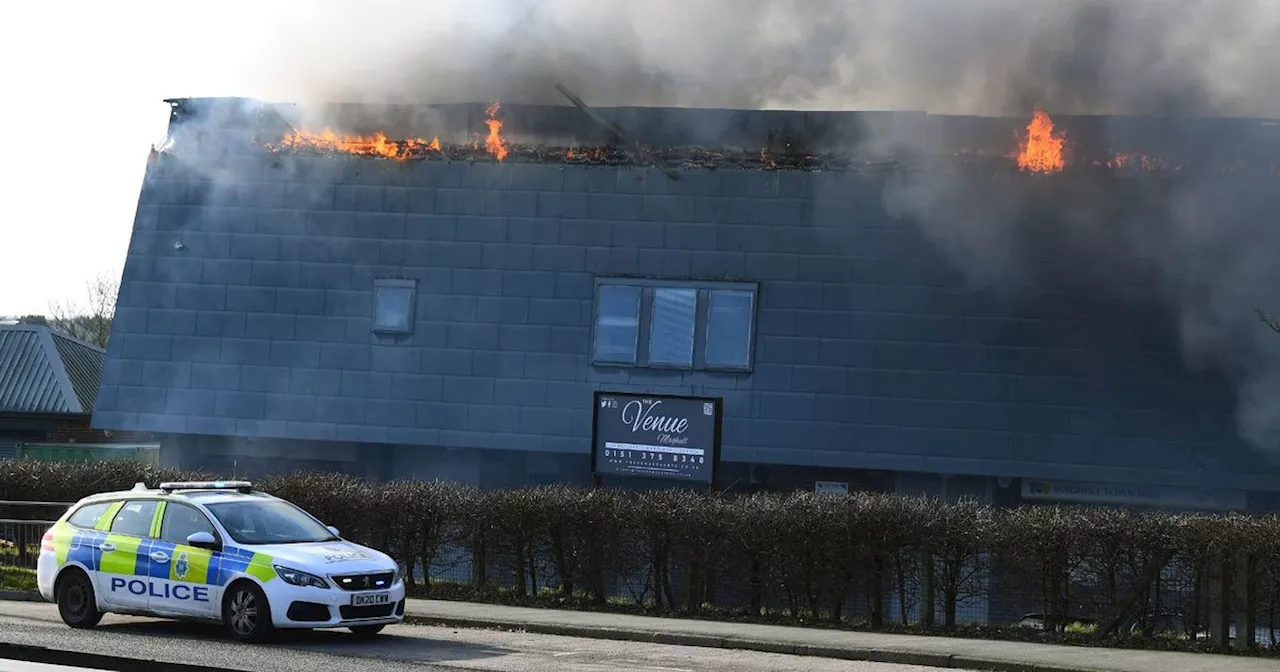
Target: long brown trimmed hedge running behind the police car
870 560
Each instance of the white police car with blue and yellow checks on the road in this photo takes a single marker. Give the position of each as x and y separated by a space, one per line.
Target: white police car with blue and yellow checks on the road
217 552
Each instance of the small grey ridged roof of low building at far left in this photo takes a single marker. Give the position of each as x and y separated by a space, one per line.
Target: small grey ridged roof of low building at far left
44 372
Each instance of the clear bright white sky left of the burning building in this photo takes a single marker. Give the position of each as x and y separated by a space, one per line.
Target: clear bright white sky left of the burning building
85 85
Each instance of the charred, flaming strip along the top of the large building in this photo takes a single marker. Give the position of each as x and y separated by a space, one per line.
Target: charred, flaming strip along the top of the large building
715 139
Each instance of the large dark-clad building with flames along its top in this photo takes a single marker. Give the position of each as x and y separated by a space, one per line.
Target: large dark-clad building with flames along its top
440 291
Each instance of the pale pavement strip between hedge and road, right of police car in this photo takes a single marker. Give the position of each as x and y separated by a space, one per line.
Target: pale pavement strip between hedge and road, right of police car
906 650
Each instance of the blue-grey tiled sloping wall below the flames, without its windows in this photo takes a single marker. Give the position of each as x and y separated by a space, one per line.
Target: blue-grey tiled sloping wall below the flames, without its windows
871 354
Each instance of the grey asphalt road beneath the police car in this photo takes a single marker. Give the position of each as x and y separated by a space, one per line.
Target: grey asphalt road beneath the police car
401 648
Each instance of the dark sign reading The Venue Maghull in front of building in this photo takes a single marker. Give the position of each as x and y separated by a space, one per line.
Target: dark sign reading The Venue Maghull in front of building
659 437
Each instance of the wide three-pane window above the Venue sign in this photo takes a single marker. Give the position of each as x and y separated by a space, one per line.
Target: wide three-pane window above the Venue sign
684 324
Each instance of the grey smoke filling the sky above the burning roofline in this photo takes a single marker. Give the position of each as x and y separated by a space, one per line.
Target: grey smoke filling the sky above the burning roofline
985 57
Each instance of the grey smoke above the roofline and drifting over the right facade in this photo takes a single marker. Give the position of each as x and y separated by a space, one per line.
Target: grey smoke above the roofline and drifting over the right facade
1180 58
